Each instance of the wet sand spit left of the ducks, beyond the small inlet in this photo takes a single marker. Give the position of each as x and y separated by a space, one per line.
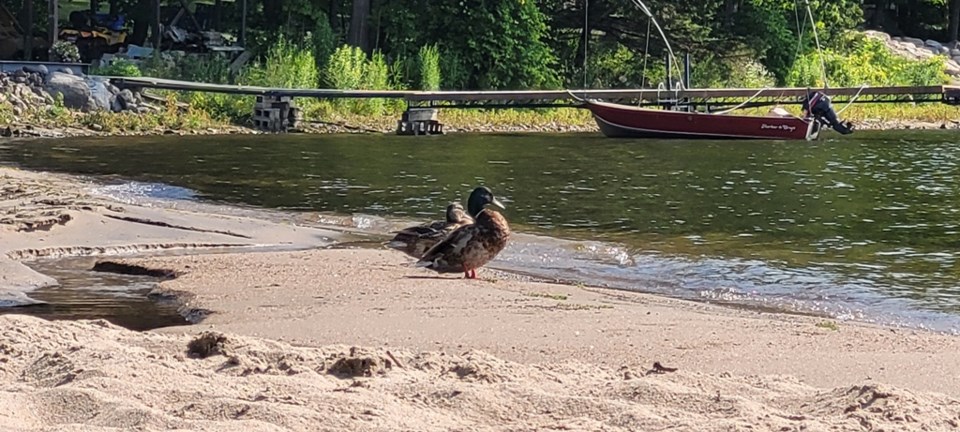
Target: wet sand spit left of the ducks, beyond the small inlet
44 215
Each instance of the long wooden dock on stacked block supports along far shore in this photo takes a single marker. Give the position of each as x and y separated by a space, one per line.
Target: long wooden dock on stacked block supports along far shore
420 117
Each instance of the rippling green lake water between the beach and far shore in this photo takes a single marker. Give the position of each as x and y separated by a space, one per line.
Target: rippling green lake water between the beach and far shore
861 227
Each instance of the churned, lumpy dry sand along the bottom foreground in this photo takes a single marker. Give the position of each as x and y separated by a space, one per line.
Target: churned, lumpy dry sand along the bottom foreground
93 376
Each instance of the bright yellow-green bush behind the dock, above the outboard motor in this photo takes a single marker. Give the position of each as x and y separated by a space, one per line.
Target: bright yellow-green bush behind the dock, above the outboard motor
860 60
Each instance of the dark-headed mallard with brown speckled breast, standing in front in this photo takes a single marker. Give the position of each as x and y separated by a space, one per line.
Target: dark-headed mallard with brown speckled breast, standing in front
471 246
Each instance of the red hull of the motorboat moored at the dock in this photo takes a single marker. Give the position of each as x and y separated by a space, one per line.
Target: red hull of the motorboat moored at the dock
622 121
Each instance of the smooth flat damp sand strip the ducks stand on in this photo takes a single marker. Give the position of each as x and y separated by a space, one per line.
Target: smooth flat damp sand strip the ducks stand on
375 298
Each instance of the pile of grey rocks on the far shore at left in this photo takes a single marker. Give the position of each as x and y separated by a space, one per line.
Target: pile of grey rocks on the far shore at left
37 88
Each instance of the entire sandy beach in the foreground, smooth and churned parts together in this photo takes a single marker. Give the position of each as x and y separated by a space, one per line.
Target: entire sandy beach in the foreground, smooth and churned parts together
298 336
